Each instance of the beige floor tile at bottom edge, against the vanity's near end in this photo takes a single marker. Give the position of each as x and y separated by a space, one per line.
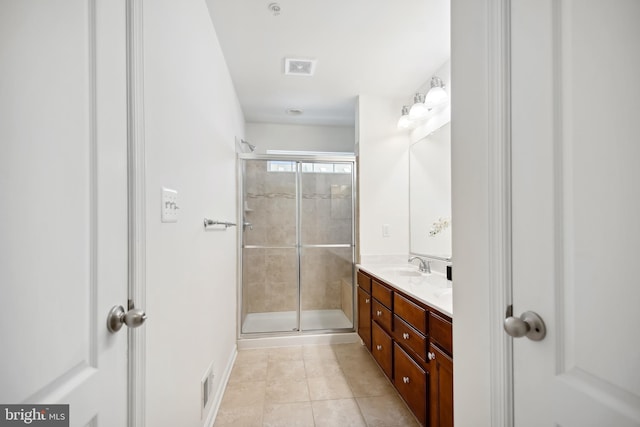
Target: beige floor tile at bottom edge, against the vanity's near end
386 411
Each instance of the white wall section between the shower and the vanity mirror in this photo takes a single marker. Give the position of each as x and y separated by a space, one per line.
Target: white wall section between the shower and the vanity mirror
383 153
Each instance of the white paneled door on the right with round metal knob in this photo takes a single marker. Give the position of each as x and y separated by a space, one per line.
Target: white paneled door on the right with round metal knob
576 210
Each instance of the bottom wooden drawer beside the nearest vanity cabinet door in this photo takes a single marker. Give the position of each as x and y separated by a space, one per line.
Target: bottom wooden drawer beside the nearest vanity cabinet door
411 381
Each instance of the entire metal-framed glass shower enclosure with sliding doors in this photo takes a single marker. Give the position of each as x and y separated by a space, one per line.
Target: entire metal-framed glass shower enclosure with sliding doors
297 255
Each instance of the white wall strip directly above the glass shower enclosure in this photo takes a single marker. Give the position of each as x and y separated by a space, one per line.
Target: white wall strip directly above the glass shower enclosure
271 136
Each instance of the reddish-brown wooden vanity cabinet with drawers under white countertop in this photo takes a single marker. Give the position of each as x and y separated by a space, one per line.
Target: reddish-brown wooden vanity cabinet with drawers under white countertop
412 343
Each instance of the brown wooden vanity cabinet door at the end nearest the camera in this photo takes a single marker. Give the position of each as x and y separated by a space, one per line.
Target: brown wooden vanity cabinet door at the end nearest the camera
441 388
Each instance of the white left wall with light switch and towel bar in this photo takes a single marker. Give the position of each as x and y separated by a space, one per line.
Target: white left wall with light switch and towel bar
192 117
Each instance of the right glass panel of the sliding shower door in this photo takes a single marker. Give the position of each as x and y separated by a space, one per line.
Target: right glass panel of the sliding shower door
326 245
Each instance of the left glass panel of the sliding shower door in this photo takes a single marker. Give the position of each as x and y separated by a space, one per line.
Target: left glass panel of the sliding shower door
270 297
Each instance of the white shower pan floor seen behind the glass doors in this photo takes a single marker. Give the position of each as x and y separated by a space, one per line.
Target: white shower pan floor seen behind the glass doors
285 321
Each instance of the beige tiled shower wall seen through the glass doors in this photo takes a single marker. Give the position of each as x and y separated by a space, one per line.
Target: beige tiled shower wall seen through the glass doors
270 275
